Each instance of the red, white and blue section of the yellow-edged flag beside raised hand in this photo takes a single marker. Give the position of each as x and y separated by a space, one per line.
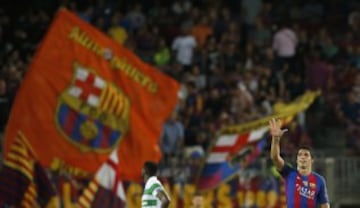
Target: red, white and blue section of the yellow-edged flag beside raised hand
231 153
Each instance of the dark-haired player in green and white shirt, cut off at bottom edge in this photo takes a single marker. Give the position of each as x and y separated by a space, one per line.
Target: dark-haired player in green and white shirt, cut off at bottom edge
154 195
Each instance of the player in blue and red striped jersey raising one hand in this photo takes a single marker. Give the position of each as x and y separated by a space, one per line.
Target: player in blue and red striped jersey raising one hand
304 188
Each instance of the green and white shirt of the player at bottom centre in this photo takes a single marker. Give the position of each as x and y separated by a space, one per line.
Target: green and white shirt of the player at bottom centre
152 188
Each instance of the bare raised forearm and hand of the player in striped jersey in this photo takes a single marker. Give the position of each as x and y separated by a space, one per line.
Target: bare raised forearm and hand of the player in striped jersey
276 134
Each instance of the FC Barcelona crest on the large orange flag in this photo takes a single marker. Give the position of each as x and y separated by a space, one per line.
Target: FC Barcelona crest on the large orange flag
92 113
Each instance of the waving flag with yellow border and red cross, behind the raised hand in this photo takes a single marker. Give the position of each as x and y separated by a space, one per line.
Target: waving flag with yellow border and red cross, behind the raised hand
239 145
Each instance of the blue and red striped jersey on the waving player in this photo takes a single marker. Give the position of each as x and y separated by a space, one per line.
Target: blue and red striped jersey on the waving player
304 191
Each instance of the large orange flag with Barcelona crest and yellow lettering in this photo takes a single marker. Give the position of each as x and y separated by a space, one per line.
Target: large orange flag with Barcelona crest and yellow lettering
83 94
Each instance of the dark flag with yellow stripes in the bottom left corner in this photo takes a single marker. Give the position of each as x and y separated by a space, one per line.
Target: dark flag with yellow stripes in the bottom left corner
23 181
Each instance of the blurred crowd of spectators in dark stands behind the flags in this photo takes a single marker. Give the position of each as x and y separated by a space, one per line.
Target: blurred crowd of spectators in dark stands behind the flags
234 59
